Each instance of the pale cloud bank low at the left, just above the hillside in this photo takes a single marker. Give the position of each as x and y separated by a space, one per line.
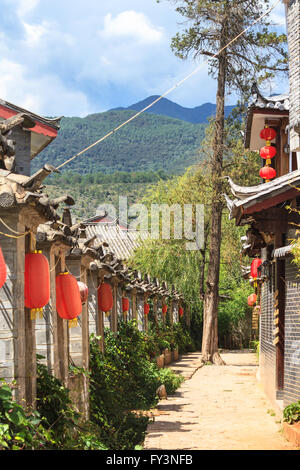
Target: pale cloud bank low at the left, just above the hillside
45 94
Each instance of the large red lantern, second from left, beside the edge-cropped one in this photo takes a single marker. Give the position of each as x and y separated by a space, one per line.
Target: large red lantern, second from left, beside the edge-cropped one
36 282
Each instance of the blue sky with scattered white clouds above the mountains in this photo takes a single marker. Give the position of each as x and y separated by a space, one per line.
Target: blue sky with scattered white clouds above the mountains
77 57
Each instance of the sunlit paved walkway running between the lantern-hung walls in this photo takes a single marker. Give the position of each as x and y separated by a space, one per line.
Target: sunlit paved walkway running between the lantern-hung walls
217 407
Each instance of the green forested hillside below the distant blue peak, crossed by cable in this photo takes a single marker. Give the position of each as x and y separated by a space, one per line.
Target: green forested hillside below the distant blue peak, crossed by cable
151 142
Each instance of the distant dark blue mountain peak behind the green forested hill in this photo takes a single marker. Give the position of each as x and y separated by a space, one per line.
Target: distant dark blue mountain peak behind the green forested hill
165 107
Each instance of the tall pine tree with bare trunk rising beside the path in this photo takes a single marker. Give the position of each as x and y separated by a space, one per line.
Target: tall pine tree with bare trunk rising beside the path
257 55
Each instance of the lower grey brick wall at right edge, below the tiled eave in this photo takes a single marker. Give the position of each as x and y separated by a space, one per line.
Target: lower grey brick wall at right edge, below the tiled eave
292 335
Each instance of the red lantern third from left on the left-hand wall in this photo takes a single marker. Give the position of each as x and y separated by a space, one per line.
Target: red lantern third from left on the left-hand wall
68 299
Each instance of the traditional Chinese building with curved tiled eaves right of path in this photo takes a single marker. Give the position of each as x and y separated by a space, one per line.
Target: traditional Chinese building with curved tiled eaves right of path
271 213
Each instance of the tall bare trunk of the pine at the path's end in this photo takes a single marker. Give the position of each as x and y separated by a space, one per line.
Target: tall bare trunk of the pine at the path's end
210 320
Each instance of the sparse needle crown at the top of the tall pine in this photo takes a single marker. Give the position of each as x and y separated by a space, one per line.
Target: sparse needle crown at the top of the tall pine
257 54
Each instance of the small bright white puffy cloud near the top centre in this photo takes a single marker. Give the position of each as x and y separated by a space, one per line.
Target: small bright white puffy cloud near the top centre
131 24
